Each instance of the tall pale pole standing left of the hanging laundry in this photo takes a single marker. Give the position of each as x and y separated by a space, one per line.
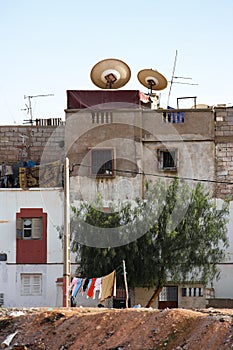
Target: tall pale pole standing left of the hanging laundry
66 243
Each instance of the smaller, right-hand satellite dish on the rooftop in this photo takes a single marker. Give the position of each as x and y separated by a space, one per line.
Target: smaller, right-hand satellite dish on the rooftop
152 79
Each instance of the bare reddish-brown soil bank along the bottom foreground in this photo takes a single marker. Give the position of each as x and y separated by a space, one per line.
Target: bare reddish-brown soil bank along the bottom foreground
117 329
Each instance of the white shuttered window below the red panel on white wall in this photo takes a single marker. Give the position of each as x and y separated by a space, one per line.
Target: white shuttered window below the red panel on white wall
31 284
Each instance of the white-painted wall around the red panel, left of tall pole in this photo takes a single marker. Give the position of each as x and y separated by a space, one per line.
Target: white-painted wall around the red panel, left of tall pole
11 200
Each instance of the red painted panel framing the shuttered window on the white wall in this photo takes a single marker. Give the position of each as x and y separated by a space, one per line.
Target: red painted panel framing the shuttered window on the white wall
32 251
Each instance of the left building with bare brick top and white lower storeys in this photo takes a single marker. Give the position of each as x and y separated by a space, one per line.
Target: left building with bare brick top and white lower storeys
31 201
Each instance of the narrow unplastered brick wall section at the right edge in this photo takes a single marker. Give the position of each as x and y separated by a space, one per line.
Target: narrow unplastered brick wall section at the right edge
224 152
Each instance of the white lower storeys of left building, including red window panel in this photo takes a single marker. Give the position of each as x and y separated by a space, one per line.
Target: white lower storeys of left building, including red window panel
31 260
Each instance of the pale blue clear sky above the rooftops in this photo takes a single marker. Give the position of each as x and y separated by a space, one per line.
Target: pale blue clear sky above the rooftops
50 46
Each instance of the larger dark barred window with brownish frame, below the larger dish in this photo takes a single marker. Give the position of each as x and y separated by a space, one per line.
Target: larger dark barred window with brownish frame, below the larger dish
102 162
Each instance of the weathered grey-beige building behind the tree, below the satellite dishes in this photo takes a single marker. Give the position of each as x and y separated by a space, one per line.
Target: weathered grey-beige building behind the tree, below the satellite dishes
116 147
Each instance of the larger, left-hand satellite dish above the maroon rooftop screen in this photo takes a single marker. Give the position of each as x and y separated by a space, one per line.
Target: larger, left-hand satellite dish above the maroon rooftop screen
110 74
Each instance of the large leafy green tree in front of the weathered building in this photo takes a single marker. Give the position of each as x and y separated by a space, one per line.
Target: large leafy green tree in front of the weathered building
176 234
